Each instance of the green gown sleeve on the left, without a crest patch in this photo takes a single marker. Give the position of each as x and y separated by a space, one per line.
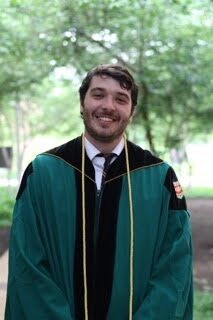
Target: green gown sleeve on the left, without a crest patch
32 293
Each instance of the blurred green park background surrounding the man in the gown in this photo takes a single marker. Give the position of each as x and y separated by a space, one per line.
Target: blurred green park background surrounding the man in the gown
46 48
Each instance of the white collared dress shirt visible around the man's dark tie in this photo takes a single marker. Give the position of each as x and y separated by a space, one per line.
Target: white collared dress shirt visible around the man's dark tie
98 162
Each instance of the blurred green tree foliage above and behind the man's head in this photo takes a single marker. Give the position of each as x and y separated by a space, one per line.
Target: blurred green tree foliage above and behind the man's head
167 45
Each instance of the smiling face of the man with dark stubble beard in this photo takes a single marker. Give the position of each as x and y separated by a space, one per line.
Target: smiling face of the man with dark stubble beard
106 110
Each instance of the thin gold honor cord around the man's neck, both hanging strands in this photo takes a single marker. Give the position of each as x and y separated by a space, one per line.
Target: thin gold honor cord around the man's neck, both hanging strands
84 230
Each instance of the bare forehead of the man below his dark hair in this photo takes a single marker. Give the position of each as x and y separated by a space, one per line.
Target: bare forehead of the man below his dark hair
107 83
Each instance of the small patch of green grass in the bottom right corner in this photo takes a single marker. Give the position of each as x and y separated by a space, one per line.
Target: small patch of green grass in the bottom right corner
203 305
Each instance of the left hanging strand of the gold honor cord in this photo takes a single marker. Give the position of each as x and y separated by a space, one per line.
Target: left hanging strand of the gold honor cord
84 228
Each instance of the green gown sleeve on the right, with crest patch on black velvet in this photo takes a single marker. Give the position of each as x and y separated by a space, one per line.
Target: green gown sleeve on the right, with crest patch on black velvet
170 291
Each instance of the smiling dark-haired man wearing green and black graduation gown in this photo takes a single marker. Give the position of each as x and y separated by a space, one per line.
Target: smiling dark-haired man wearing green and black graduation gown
95 242
